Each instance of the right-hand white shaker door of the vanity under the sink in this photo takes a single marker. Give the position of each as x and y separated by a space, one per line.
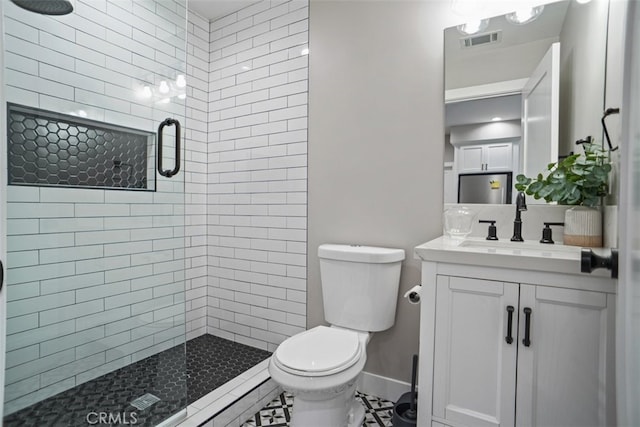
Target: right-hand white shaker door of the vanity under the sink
566 373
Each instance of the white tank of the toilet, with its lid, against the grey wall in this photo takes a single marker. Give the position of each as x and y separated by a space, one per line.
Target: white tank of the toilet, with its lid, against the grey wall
360 285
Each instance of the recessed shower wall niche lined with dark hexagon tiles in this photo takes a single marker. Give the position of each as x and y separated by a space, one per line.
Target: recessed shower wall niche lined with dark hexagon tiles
52 149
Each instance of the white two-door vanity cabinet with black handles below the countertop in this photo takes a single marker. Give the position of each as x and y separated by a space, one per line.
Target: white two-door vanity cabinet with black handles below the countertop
535 351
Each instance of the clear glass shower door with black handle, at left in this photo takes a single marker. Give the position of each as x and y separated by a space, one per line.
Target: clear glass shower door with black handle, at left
95 265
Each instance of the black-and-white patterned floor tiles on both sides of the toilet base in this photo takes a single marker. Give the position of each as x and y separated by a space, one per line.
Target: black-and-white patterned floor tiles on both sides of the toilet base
378 412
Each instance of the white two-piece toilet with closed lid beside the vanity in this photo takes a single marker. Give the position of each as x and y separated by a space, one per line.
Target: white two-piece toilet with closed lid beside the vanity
320 366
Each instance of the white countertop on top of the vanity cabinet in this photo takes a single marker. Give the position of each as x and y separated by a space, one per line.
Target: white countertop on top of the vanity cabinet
528 255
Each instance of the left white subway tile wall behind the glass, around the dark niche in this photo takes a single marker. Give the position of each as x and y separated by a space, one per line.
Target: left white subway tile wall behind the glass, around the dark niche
96 279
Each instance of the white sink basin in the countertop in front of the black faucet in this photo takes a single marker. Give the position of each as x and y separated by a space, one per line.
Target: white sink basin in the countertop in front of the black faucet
522 248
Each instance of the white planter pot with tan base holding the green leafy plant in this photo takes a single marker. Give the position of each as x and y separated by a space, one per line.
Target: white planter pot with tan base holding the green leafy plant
583 227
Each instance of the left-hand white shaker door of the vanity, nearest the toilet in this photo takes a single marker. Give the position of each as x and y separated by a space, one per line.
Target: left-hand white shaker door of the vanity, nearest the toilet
474 366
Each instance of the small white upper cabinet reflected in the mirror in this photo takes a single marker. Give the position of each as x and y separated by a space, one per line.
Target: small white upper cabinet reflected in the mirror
496 157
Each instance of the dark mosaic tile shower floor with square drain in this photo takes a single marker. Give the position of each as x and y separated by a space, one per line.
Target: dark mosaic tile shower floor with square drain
211 362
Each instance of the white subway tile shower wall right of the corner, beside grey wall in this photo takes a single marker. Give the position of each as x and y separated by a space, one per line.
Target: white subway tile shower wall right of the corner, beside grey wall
257 173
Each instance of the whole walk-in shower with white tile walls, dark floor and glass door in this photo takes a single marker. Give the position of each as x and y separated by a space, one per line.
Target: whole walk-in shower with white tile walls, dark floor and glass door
155 180
